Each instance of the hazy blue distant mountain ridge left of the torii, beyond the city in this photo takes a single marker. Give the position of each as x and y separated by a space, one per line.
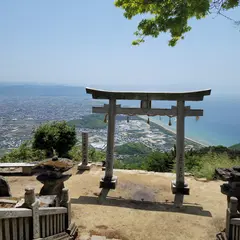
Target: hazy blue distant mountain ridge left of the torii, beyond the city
40 90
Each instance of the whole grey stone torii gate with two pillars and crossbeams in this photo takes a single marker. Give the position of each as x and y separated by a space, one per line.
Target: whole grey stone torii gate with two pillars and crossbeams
179 187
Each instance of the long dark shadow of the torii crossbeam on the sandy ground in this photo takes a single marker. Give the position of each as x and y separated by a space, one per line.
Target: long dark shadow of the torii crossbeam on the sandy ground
187 208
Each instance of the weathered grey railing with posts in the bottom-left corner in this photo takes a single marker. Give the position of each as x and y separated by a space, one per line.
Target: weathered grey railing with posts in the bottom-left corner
35 222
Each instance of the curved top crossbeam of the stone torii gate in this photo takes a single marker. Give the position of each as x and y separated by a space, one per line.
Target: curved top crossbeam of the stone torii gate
148 96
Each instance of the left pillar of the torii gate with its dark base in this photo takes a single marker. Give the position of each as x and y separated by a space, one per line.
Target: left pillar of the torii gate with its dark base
109 181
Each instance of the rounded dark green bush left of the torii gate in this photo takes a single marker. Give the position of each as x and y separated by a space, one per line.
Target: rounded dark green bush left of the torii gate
55 135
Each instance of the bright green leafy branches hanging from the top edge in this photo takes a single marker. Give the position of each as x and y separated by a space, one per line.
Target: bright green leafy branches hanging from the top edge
171 16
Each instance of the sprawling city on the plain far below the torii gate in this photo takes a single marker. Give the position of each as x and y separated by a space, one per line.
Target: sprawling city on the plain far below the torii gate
19 116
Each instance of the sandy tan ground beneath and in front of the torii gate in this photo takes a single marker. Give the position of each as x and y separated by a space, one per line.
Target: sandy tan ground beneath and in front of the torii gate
141 206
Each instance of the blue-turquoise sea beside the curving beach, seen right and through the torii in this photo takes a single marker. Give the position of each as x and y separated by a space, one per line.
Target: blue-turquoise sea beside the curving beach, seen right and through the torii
219 125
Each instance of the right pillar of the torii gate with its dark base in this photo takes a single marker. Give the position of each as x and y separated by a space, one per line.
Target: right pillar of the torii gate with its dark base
180 187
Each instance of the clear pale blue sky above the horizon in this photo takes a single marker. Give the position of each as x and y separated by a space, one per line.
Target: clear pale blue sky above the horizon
89 43
